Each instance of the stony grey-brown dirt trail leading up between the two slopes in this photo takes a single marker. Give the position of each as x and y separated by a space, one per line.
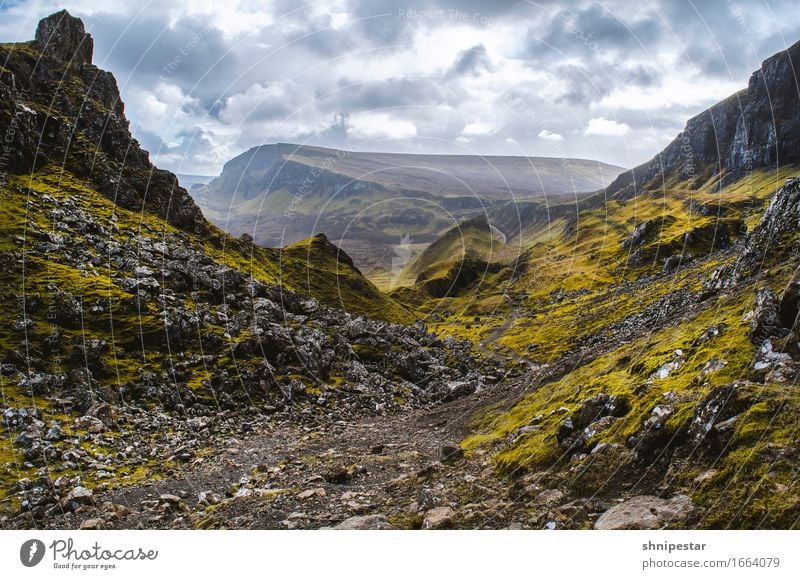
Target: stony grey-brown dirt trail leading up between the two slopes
290 476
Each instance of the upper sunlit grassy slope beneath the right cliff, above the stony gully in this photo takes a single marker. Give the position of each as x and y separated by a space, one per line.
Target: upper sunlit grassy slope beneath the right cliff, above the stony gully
573 285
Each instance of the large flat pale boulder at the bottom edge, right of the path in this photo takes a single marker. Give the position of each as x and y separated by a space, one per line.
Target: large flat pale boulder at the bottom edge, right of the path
645 512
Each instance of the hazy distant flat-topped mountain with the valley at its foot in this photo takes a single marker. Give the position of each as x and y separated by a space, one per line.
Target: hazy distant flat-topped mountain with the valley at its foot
368 202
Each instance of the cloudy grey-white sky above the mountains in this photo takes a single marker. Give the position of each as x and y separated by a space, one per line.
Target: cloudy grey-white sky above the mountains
204 80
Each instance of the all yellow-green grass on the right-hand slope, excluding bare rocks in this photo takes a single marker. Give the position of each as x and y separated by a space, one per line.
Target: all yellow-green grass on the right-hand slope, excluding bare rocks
578 284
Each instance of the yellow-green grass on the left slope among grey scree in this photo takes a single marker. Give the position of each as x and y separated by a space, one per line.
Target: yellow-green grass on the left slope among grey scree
133 337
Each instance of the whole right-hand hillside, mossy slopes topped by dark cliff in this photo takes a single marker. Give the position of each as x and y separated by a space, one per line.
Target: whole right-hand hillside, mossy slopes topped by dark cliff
656 319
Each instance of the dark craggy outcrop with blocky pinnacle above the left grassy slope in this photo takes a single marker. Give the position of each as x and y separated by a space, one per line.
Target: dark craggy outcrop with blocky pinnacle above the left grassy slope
58 108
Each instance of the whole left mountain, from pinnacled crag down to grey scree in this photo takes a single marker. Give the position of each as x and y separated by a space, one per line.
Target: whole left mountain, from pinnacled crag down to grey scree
135 333
